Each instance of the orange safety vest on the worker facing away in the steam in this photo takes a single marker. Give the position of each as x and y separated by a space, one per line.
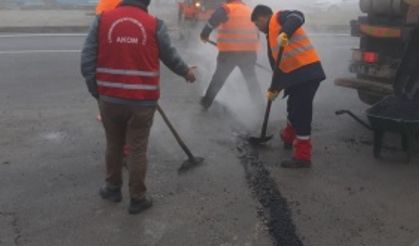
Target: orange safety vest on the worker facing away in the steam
238 33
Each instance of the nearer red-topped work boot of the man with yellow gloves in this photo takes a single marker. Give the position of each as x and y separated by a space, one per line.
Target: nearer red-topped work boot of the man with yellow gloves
301 156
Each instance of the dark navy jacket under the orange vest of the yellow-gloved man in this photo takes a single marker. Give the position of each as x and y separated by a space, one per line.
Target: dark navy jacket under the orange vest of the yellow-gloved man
290 22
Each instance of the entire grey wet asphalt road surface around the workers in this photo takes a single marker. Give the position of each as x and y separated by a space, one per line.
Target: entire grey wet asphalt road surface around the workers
51 162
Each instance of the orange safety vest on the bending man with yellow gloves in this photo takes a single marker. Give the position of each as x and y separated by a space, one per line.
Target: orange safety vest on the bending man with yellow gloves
299 51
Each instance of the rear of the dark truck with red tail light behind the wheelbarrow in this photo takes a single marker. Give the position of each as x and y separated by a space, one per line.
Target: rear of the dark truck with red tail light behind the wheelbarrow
383 34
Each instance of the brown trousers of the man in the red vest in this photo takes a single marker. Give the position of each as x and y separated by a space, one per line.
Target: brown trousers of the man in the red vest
127 124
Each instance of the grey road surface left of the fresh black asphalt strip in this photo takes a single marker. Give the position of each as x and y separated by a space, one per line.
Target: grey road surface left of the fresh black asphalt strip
52 162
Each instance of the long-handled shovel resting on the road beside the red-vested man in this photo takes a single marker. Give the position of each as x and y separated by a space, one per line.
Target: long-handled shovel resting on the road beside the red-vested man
192 160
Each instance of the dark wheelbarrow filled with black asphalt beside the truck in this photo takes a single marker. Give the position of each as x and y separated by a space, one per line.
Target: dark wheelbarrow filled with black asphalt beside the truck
392 114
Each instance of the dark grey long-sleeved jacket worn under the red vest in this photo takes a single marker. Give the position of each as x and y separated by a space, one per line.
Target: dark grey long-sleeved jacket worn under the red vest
168 55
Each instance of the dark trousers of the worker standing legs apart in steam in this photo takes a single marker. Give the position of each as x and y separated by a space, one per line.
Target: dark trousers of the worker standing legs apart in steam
226 62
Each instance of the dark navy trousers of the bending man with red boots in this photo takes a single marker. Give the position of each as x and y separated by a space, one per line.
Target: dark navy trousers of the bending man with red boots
300 106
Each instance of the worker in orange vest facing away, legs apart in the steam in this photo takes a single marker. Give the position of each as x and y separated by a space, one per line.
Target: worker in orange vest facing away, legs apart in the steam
237 43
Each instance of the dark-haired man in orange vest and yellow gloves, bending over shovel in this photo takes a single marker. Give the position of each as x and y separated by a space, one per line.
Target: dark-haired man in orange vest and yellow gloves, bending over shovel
298 73
